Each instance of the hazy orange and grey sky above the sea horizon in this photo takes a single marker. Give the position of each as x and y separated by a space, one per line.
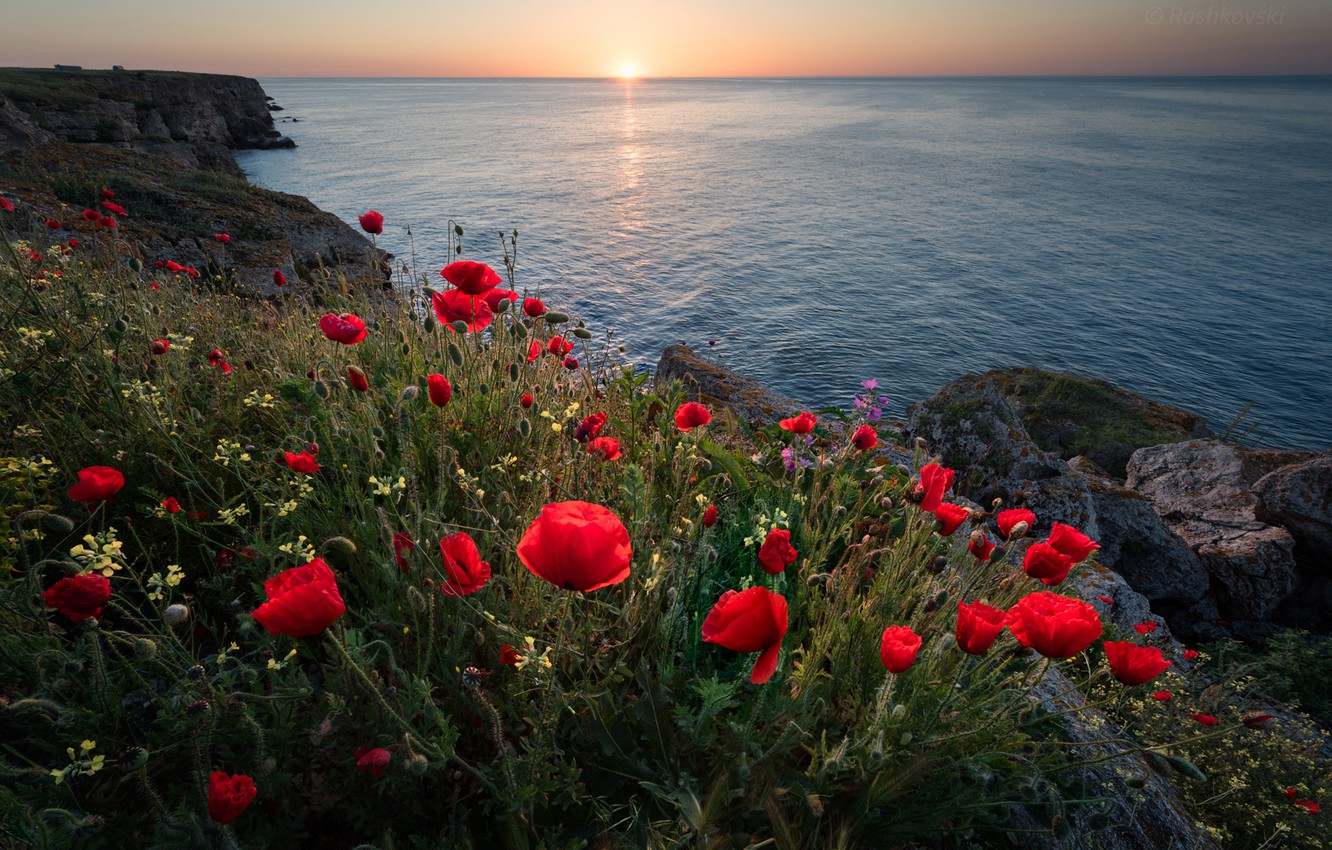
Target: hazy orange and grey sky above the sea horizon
675 38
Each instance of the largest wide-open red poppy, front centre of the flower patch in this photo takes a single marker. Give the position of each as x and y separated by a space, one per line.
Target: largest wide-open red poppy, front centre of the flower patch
577 547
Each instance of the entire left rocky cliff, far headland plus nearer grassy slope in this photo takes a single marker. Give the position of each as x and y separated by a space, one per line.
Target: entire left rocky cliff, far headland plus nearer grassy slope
163 145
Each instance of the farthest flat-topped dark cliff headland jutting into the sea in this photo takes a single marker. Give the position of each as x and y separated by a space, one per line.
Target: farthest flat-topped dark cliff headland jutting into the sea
191 119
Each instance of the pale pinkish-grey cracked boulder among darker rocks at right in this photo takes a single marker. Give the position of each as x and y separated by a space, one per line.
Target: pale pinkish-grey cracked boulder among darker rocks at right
1202 491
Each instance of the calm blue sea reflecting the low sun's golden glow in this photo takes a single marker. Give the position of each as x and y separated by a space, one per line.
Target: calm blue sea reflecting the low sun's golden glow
1173 236
